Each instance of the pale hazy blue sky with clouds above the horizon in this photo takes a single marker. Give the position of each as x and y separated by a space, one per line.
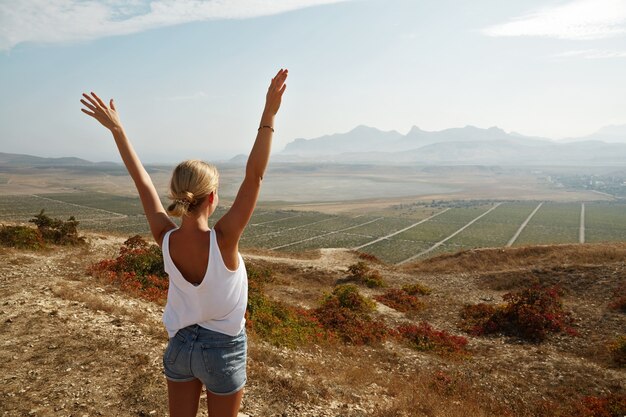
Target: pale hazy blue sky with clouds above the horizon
189 76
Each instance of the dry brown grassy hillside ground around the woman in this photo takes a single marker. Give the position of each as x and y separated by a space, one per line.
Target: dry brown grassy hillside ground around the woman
75 346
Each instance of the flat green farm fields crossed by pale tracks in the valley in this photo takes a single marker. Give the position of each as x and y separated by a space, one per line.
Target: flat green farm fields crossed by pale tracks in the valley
395 234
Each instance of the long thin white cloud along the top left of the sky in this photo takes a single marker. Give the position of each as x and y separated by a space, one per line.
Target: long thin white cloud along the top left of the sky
53 21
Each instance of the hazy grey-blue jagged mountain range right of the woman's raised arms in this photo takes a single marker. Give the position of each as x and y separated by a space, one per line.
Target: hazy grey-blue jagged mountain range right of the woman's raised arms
467 145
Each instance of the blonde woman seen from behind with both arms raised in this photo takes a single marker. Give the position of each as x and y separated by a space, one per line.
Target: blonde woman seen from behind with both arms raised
207 295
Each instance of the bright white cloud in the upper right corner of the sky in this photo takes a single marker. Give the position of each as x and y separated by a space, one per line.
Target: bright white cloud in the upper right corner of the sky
577 20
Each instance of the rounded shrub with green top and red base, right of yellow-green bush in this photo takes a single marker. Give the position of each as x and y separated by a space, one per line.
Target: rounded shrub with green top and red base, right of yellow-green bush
345 313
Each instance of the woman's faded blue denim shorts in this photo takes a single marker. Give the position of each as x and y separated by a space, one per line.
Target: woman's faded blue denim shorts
216 359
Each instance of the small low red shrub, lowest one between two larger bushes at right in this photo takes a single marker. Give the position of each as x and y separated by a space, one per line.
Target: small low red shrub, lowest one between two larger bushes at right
426 338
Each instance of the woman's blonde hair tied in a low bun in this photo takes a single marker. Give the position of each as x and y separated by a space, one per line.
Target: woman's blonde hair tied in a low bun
192 181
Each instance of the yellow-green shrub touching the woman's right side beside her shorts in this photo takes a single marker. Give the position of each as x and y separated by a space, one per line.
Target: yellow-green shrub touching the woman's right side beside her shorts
277 322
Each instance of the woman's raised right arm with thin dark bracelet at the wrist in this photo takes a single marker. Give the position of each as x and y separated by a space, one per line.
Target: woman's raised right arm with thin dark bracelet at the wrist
230 227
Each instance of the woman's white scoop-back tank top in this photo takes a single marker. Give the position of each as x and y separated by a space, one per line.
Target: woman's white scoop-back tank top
218 303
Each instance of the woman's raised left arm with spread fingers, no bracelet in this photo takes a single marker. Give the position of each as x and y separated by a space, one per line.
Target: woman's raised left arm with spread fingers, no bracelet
158 219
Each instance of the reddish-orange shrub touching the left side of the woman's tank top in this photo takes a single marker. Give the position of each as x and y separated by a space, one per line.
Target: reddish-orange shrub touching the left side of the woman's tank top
138 269
